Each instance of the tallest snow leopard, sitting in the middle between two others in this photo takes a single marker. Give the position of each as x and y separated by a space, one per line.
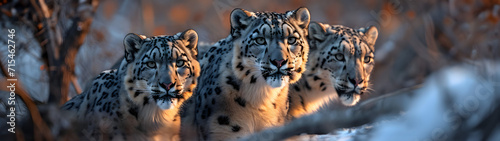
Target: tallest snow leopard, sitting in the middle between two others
245 77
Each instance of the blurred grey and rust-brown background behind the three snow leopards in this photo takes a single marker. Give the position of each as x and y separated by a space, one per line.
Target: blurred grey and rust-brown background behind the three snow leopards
416 37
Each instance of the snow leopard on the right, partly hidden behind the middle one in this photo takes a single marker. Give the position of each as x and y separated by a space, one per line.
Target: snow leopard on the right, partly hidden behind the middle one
338 70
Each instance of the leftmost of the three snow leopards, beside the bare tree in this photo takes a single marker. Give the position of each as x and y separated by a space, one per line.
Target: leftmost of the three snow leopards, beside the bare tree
140 100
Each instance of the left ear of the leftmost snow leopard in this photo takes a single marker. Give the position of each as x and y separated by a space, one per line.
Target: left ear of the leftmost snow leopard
132 43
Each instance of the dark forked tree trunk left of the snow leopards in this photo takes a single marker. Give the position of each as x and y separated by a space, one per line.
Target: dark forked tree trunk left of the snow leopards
61 53
